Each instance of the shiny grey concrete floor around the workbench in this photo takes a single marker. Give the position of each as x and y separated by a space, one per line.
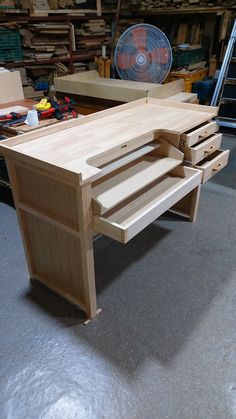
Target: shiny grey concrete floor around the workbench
164 346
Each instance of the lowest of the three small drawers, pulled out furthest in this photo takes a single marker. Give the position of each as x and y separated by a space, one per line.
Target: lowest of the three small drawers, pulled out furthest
213 164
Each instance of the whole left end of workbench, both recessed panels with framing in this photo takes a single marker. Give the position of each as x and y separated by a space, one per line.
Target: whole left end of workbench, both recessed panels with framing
54 251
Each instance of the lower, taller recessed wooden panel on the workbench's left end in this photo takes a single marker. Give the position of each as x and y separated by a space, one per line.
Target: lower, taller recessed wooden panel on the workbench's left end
55 256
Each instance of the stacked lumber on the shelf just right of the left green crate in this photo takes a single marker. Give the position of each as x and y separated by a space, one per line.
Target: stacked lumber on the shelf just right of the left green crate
41 41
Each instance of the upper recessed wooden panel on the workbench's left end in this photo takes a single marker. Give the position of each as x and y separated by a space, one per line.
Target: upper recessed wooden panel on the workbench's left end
52 197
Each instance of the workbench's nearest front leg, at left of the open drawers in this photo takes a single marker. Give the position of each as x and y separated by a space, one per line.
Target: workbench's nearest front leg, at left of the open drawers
85 226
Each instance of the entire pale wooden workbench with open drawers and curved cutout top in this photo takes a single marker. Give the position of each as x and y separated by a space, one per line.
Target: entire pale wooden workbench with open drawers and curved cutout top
113 173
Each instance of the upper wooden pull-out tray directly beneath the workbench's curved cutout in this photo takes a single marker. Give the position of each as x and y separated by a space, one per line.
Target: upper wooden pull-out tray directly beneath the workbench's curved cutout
117 185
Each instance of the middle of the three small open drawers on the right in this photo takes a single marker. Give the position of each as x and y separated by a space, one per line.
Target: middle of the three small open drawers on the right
201 150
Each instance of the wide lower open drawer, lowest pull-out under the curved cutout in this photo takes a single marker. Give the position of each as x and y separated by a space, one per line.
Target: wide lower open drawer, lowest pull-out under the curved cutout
129 218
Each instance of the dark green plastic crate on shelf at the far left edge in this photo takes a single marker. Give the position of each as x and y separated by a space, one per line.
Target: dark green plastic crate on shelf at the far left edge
10 45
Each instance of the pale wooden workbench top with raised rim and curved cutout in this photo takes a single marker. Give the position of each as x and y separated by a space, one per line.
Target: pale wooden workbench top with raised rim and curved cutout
81 146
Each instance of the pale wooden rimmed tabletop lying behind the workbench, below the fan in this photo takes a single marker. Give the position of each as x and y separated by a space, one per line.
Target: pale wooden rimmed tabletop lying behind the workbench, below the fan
90 84
